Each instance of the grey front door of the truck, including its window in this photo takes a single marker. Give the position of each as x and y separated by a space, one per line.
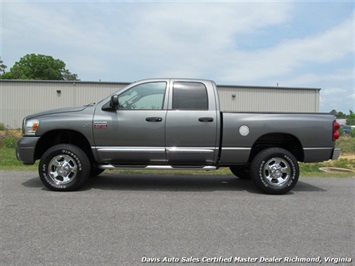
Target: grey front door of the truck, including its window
135 132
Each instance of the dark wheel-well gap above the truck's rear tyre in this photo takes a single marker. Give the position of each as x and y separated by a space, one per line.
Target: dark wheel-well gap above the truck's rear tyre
281 140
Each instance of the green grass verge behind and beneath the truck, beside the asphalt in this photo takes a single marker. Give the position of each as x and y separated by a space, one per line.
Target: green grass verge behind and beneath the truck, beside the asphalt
8 162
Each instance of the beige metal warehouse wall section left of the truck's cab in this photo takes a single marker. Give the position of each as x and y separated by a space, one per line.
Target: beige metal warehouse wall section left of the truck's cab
21 98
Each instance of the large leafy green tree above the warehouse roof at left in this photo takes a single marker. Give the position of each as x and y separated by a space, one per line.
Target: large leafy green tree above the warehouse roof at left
39 67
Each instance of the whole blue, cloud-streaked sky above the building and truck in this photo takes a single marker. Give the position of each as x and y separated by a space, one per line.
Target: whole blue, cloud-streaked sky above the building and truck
292 43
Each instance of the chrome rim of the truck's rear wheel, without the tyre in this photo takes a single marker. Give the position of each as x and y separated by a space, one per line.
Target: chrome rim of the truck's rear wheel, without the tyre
276 171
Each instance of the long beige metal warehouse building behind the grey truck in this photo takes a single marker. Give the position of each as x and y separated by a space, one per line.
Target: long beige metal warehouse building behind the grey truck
19 98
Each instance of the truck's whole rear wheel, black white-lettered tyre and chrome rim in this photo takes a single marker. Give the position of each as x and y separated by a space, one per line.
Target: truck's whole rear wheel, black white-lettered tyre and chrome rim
274 171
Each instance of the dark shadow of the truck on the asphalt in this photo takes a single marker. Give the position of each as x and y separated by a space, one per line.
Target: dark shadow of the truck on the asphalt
198 183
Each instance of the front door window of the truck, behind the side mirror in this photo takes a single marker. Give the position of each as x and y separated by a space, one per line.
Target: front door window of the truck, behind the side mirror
147 96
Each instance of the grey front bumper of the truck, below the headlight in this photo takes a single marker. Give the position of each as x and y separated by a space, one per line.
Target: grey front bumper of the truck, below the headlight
25 150
